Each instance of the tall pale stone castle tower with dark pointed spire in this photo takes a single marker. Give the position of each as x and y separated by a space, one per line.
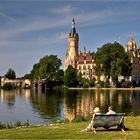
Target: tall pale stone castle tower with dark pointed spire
72 50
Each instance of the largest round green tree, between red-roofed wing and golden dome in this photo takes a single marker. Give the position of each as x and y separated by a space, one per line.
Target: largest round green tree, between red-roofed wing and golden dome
112 61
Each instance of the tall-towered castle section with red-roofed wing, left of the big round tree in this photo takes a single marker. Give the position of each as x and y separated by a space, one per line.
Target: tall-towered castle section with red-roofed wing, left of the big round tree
82 62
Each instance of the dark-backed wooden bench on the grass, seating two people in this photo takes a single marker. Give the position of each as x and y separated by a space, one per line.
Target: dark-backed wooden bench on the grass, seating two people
109 120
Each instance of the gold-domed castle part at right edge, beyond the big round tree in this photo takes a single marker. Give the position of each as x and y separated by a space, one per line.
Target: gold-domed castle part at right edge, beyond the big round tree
134 52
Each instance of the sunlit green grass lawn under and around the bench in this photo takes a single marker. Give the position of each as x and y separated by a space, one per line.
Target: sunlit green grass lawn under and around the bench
73 131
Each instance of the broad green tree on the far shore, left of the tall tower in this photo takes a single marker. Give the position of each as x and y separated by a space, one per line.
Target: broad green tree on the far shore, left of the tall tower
48 69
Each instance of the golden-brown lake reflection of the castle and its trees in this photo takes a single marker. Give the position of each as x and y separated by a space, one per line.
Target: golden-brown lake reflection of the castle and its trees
82 103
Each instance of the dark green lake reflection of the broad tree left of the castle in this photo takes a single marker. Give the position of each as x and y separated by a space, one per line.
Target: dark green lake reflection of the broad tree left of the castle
49 104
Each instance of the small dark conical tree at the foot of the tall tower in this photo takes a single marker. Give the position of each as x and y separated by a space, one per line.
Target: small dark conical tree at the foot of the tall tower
70 77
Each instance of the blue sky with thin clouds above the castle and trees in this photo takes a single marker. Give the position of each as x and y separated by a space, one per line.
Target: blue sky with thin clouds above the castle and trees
32 29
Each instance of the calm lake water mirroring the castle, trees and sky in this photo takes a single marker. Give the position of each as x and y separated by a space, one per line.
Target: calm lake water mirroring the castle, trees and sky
43 108
